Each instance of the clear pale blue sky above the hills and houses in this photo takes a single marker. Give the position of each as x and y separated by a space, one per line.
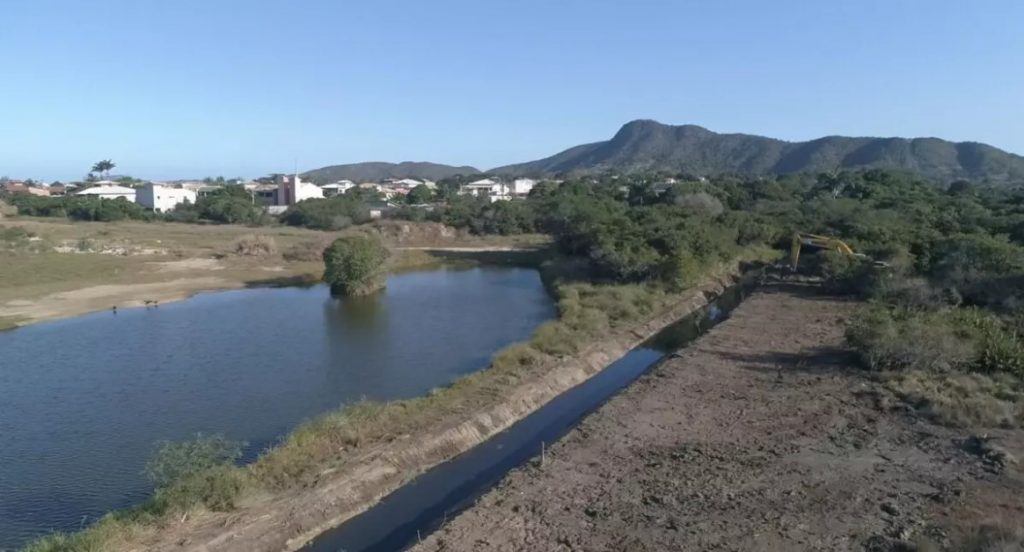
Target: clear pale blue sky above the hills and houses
190 89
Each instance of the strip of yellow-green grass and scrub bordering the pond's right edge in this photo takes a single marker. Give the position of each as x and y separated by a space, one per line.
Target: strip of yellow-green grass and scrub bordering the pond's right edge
328 444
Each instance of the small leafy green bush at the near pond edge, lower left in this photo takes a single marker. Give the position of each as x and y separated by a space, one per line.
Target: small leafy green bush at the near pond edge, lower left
197 473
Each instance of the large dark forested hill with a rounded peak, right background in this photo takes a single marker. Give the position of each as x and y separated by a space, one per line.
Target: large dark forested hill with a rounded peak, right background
644 146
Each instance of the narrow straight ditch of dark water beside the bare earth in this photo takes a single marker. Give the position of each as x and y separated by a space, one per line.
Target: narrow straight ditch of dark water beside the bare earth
421 506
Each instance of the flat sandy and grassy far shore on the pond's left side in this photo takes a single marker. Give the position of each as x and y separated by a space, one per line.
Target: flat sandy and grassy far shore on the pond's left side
82 268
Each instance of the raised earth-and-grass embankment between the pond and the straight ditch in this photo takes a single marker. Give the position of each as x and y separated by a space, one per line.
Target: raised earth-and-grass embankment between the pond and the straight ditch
342 475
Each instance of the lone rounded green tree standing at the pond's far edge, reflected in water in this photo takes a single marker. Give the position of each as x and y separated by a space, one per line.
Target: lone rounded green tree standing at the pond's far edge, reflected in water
355 266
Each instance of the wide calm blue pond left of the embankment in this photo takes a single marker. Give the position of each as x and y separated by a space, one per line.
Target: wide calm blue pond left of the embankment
83 401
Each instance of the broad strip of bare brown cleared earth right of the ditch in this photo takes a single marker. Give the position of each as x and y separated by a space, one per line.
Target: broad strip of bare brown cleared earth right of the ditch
760 437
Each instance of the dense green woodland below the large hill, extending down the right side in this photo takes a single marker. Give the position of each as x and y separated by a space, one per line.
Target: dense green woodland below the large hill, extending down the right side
947 295
